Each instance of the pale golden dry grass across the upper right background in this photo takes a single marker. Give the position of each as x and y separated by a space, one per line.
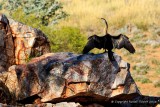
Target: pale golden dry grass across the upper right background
85 14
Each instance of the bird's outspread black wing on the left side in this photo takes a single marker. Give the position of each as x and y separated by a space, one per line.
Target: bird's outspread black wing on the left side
93 42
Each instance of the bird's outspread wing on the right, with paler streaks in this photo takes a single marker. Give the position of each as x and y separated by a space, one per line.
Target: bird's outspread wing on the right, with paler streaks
122 41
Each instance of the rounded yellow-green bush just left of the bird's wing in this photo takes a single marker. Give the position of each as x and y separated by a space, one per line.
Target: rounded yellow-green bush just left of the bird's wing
67 39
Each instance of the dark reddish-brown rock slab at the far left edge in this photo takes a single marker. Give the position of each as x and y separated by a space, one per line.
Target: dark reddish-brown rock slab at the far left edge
7 55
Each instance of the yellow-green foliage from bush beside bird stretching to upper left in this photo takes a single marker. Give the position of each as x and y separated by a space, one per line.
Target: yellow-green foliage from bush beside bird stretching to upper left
64 39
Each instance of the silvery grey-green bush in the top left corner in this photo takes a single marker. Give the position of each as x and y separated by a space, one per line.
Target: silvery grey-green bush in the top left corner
46 11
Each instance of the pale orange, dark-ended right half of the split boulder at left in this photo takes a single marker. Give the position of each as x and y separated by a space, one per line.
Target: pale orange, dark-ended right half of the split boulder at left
28 41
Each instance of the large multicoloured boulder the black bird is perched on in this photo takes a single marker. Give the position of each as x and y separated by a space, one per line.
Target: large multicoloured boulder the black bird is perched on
70 77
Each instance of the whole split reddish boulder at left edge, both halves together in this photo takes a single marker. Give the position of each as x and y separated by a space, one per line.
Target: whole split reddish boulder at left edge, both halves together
19 42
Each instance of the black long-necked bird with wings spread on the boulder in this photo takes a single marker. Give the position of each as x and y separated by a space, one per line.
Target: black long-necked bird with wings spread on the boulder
108 42
